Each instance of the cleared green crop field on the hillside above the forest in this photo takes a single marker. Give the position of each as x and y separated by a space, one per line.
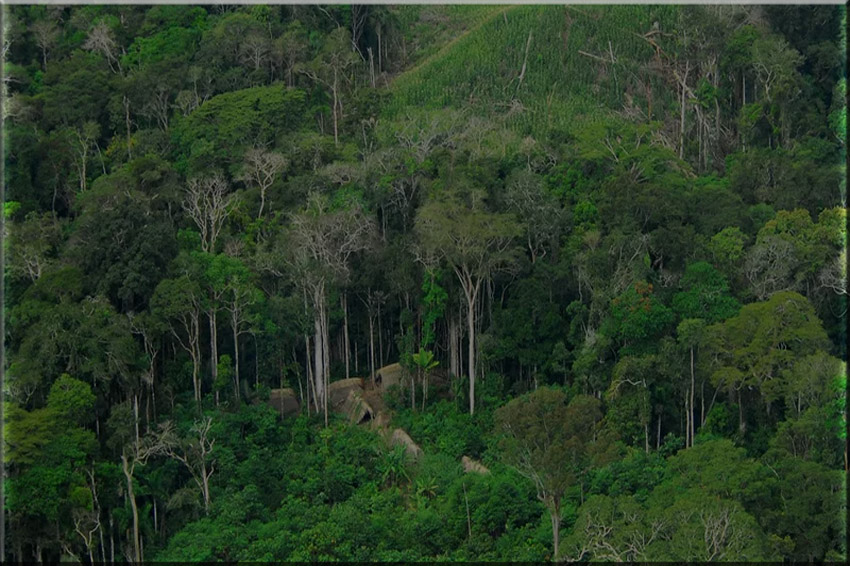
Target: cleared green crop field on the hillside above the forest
561 85
